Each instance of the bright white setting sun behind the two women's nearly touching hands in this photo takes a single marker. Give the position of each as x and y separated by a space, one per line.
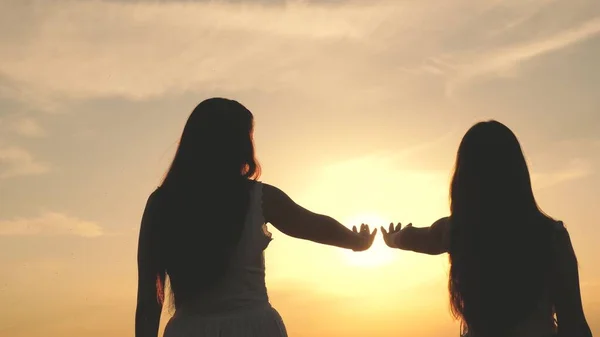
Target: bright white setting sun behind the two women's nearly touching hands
379 254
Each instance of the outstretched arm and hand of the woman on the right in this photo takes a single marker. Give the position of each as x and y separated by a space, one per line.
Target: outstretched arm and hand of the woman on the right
432 240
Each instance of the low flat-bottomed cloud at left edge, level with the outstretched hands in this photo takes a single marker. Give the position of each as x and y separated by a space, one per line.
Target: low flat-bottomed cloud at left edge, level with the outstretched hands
51 224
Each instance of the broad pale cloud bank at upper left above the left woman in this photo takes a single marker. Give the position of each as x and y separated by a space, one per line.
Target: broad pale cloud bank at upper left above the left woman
142 50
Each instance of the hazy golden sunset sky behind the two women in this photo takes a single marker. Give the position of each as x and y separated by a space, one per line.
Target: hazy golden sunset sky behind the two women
359 109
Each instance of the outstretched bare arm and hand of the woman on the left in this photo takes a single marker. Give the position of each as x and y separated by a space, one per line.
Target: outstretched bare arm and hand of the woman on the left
294 220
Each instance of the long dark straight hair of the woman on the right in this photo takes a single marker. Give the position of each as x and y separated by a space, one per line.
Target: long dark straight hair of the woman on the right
500 243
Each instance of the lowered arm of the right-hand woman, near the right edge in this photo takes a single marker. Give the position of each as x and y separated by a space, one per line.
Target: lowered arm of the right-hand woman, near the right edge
567 294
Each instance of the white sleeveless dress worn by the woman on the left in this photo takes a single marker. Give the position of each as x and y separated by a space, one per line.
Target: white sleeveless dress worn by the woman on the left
240 306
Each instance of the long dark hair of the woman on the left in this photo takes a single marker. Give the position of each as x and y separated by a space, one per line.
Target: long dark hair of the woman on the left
204 197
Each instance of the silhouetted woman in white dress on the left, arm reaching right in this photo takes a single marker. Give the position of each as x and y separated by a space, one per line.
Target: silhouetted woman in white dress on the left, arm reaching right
205 228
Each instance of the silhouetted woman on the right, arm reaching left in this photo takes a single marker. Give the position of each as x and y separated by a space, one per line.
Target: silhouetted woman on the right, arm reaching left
513 267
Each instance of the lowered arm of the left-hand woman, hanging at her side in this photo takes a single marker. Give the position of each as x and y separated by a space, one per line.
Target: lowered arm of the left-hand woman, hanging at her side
149 307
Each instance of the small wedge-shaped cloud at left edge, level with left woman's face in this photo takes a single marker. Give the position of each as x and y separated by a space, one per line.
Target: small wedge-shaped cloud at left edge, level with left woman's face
15 161
